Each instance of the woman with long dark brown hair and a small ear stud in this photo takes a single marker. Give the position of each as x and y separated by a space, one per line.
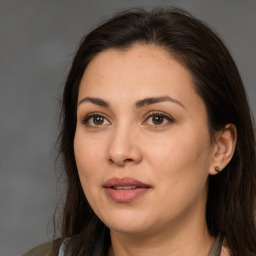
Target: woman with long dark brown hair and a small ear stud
157 143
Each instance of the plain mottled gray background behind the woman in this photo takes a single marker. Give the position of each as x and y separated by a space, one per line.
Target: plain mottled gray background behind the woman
37 40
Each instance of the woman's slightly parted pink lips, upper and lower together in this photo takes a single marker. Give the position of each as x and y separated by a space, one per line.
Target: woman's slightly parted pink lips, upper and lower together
116 189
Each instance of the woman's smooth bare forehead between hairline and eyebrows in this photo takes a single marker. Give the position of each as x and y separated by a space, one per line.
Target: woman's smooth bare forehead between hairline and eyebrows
141 71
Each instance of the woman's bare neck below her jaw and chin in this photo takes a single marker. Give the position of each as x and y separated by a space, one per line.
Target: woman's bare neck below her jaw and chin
185 236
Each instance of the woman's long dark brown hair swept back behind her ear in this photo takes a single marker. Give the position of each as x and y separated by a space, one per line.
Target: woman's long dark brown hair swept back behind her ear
232 193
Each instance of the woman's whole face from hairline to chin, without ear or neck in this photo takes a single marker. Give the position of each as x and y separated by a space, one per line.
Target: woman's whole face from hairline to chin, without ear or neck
142 144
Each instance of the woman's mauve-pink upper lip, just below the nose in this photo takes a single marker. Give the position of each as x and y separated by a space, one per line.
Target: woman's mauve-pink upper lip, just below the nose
126 181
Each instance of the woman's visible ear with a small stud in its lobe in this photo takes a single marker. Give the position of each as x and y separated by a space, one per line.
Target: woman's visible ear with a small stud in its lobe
223 148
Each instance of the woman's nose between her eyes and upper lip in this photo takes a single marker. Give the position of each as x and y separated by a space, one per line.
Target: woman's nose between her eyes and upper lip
124 147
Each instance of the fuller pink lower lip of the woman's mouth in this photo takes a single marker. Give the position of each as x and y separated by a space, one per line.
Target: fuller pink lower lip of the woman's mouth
125 196
